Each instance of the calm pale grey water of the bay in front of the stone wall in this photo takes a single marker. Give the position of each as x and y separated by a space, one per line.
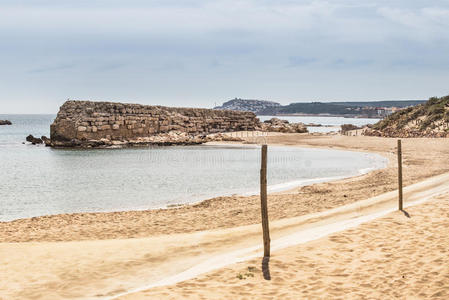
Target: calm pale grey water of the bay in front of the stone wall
37 180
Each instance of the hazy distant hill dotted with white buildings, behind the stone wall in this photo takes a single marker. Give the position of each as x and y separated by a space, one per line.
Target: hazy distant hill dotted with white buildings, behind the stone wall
255 106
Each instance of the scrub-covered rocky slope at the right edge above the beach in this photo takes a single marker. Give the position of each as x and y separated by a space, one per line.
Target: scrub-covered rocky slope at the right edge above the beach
430 119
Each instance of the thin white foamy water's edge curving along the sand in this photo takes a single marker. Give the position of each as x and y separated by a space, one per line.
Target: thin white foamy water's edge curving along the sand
279 188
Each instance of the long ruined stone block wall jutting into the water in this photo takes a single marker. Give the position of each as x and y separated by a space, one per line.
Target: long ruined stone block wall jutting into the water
101 124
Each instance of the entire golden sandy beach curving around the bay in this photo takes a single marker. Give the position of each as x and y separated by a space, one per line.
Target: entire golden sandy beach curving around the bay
98 255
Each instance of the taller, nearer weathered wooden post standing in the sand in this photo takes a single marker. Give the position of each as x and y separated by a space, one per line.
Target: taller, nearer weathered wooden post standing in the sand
263 203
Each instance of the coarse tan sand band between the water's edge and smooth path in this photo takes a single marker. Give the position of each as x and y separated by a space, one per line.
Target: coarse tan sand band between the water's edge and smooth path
231 211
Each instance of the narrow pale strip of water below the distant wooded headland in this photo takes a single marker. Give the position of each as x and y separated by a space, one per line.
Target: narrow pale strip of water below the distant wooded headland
335 122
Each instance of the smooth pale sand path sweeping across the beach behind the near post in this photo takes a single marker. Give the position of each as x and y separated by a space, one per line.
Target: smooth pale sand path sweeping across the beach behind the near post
109 268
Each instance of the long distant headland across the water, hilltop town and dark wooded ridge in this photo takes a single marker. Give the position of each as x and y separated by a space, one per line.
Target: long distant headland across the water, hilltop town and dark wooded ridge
368 109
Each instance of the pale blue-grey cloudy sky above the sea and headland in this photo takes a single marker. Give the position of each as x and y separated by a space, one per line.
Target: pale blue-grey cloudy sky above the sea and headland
201 53
